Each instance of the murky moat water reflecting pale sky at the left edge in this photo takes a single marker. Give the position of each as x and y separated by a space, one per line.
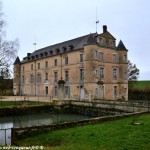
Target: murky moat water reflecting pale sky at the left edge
6 123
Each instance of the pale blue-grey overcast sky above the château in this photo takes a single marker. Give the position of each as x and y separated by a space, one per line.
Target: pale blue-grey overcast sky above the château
54 21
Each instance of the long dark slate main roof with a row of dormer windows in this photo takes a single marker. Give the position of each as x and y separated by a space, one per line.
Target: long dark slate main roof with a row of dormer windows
70 45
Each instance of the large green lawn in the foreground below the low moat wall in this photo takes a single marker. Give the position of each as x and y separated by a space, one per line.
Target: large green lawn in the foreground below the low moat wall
111 135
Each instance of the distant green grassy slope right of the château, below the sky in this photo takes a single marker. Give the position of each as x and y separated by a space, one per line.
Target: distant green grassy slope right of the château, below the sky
142 85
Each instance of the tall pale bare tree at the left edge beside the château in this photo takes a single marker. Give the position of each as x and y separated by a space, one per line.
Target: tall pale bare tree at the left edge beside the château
8 49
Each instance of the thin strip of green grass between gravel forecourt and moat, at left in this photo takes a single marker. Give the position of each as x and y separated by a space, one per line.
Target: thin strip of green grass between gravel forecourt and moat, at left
18 103
